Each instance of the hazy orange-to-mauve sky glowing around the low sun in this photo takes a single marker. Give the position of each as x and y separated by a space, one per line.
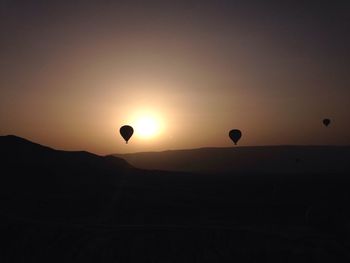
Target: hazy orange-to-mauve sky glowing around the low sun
72 72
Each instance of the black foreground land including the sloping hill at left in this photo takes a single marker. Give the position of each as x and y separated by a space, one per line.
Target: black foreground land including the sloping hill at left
78 207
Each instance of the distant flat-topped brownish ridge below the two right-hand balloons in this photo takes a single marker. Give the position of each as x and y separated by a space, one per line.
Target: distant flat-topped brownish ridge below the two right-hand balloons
247 160
